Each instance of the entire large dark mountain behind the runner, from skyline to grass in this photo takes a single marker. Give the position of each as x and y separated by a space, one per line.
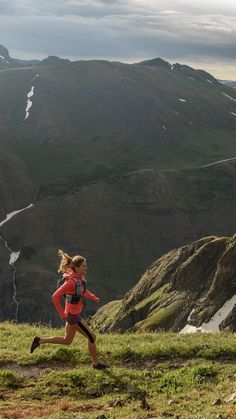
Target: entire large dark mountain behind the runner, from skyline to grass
111 156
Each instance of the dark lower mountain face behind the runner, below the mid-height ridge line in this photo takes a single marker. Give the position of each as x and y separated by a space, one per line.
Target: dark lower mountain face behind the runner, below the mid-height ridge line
120 225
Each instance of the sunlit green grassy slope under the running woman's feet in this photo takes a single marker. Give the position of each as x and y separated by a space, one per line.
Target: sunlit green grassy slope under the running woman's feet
173 375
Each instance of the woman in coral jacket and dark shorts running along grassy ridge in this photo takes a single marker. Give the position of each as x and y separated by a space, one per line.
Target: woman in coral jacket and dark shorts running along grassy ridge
74 287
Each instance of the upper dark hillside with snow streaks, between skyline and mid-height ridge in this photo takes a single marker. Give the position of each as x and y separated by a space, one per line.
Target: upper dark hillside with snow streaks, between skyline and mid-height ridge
88 120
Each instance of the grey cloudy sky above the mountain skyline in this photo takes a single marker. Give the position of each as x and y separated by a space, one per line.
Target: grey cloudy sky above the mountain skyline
201 33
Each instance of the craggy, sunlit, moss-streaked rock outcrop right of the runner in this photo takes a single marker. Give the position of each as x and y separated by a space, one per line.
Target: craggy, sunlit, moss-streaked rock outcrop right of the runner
192 288
